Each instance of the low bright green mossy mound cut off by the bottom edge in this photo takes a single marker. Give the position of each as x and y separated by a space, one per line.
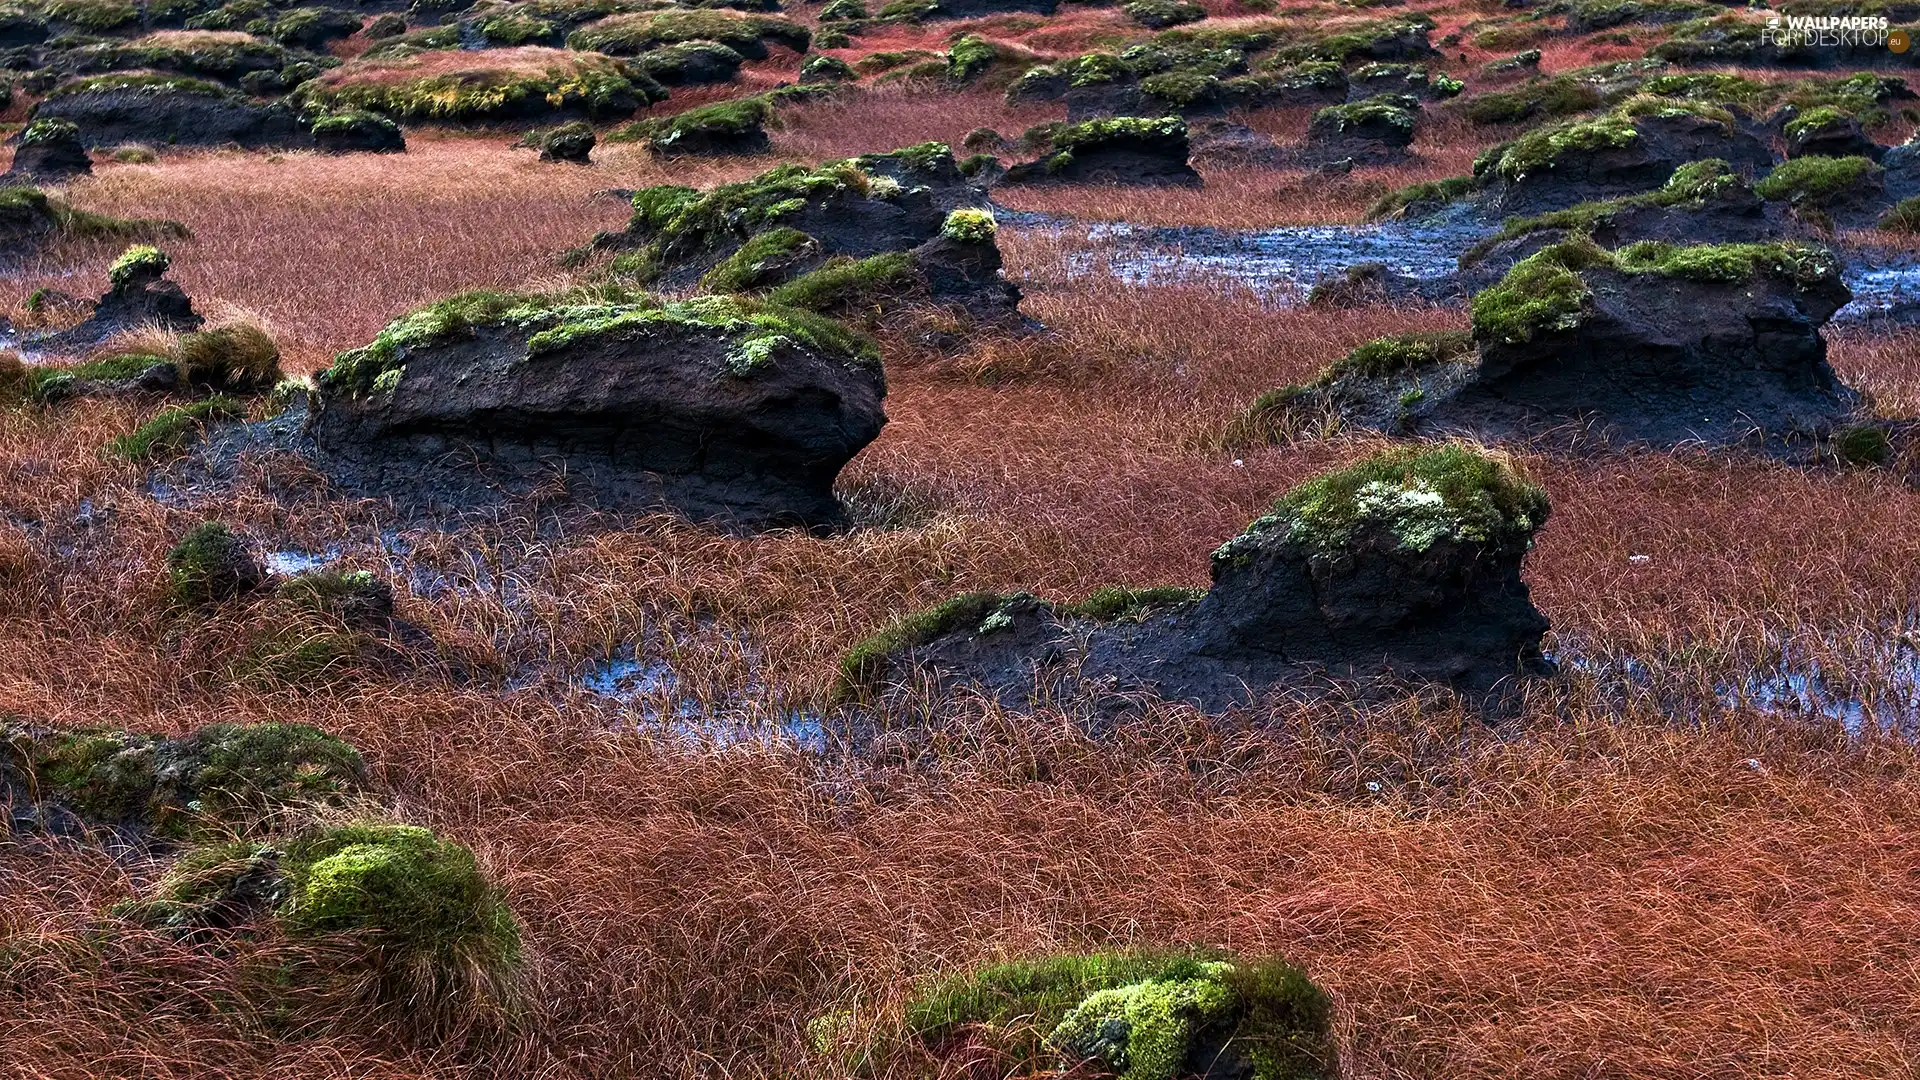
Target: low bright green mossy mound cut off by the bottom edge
1134 1016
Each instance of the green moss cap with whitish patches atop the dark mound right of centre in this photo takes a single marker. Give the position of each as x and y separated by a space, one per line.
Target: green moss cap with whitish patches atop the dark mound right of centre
1416 497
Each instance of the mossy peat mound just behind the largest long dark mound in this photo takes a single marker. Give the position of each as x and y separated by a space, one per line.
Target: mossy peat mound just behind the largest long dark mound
850 235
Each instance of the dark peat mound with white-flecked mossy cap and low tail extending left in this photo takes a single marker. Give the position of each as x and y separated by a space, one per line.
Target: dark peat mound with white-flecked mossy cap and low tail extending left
1404 566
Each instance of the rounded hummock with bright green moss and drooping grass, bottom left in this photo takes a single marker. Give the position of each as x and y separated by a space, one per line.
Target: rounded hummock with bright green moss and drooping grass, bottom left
372 925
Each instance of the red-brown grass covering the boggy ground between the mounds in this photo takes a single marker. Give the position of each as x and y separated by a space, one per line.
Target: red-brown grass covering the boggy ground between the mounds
1639 877
